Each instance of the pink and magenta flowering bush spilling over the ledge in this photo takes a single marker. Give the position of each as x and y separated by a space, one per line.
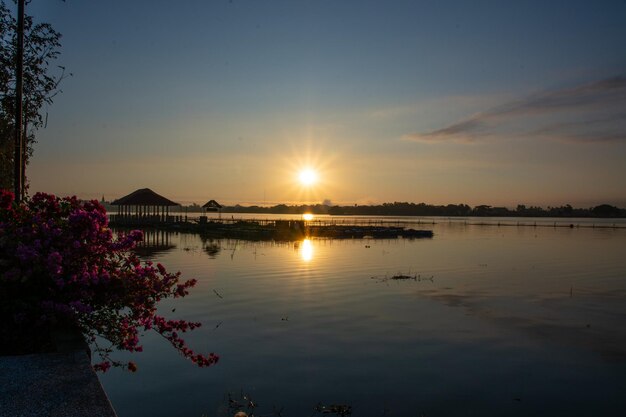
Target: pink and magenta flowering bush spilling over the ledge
59 261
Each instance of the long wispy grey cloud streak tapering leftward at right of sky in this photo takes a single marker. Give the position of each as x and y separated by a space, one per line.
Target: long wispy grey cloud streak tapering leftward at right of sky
593 112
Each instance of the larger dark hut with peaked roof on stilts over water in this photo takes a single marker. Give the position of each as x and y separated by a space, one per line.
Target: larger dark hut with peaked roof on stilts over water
143 205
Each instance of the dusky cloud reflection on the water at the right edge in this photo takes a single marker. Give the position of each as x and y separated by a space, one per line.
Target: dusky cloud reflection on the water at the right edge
589 320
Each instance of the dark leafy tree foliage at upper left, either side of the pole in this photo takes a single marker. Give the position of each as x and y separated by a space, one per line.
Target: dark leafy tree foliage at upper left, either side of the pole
41 83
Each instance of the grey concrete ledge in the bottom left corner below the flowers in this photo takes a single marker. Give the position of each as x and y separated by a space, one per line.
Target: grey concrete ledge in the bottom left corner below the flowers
53 384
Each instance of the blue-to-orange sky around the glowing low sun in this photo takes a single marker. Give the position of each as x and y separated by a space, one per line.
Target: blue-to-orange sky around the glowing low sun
443 102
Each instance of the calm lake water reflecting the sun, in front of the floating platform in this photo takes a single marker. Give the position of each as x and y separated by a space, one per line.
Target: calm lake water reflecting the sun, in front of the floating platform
517 321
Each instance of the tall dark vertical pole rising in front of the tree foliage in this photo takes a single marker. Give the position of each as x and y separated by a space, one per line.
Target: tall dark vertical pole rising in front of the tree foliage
19 72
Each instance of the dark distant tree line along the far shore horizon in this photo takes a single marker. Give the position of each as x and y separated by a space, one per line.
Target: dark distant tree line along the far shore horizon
422 209
